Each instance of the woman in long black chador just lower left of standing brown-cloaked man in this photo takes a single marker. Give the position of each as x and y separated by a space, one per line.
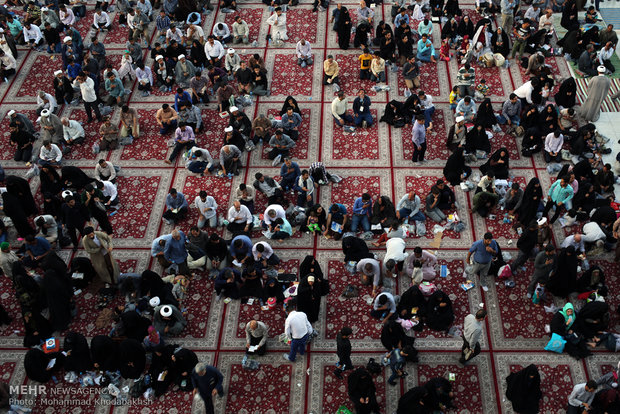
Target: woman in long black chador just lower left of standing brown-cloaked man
59 294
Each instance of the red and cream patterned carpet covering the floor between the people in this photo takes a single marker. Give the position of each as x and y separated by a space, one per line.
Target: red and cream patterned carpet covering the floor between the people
374 160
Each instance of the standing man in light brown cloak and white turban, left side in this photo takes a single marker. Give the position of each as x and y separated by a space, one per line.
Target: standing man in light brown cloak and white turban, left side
99 247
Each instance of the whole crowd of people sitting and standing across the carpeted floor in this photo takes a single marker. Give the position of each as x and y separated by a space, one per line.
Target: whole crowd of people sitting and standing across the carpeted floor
543 114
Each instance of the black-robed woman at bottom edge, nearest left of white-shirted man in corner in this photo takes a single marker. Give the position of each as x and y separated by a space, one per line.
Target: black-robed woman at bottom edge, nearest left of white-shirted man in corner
523 390
